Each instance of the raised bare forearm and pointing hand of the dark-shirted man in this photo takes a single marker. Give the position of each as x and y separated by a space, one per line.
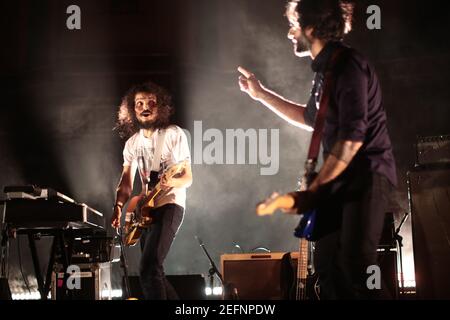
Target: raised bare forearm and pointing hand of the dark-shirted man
287 110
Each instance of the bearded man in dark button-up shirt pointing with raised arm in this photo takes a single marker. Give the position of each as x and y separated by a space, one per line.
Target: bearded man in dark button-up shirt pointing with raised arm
358 172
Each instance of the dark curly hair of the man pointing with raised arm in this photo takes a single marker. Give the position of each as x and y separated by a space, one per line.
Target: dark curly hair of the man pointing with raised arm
330 19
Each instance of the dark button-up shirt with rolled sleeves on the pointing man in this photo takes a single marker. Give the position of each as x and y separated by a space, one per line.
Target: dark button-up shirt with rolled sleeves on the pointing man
356 110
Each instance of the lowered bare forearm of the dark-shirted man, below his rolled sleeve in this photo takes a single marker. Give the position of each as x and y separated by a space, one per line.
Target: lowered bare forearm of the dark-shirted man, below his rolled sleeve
337 161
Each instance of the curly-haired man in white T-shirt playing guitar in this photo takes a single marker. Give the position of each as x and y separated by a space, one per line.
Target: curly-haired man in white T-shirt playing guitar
153 144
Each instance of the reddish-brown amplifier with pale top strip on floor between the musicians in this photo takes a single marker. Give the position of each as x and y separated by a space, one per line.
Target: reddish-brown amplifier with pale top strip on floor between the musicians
255 276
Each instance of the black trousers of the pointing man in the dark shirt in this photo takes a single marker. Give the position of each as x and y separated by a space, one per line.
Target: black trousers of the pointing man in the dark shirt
352 218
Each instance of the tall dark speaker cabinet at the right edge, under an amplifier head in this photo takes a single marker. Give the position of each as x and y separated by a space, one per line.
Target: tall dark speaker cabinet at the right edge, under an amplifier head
429 190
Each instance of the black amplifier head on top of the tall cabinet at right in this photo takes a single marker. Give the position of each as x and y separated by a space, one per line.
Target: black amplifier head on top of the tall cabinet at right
433 150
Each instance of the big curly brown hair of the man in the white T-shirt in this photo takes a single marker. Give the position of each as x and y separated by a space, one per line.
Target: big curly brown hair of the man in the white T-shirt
127 124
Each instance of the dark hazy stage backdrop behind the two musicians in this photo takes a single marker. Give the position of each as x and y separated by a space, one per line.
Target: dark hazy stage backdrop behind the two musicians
60 89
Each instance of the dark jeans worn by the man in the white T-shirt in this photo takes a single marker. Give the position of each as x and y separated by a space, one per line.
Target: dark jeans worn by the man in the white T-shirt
155 244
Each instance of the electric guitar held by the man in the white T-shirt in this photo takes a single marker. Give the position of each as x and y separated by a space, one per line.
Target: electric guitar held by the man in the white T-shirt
139 211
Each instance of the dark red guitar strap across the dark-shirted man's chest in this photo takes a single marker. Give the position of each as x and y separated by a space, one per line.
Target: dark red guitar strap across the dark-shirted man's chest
314 147
